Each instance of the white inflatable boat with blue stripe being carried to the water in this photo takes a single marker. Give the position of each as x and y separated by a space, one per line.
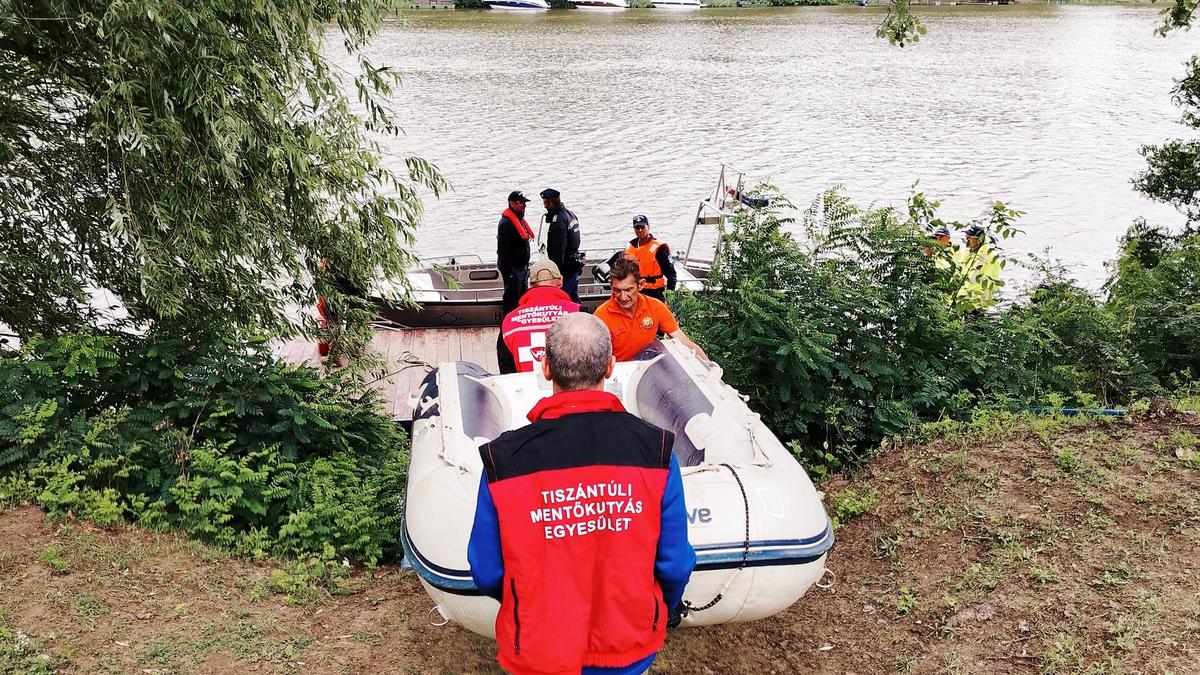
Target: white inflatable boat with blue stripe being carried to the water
758 524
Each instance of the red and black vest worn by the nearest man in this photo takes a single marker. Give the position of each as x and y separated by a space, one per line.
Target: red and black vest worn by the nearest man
579 498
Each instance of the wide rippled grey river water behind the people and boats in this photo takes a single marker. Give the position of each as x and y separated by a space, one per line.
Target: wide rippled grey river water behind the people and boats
1042 107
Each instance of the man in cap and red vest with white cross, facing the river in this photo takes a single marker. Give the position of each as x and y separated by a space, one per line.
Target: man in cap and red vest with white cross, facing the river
524 330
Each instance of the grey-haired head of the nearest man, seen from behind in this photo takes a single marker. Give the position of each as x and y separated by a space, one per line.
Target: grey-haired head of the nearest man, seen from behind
578 351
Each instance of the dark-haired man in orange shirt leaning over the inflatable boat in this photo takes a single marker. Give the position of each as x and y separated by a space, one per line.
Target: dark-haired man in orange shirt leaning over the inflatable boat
635 320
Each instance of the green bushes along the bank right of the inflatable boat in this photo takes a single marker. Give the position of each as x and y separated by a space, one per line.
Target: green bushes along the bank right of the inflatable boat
848 336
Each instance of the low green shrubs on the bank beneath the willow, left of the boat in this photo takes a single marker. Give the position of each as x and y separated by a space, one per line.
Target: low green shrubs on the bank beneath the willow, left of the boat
218 440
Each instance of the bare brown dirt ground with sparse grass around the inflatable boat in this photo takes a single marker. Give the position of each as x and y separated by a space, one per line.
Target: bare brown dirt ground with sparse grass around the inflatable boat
1042 546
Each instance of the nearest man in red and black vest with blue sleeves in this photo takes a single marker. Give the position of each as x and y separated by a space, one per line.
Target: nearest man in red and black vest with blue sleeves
581 529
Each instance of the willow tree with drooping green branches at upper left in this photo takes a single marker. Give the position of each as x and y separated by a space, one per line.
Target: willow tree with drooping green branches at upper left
194 163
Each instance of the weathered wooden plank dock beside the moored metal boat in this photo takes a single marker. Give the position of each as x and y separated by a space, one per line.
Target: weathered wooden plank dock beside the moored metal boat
411 354
